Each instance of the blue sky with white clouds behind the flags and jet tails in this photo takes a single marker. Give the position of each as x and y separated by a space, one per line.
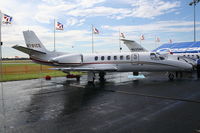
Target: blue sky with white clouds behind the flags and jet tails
166 19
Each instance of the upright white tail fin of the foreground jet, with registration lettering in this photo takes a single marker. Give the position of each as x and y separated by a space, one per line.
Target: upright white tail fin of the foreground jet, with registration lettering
33 42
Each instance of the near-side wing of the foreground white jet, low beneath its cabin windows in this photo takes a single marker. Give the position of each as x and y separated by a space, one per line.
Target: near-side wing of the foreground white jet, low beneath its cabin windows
94 68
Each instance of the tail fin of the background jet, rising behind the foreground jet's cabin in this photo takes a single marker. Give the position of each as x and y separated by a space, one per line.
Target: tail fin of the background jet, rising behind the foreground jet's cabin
134 46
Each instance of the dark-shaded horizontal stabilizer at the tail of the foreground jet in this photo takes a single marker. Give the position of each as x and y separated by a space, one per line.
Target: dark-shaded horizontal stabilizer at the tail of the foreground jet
27 50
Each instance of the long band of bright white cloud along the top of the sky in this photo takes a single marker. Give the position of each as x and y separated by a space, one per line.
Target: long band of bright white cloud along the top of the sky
90 8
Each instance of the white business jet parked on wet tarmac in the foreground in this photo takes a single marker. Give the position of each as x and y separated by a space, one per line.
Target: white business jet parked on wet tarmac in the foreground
101 62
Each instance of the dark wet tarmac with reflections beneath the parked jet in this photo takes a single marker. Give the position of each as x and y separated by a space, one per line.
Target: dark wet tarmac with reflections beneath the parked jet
121 104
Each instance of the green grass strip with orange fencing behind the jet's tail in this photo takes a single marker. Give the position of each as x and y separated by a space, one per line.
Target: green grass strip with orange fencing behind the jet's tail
29 71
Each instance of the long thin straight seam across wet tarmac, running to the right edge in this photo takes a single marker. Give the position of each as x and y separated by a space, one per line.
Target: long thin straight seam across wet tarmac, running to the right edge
155 96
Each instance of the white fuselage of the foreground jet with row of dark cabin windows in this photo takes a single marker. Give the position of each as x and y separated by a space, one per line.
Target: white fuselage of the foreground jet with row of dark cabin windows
124 62
